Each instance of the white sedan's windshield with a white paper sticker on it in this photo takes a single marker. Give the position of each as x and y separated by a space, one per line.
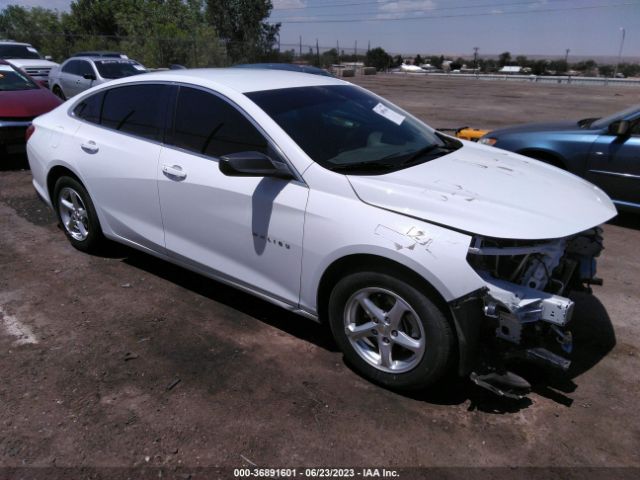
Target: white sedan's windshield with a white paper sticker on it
346 129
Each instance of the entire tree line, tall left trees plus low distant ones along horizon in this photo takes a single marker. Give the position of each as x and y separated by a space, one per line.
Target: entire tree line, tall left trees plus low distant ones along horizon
198 33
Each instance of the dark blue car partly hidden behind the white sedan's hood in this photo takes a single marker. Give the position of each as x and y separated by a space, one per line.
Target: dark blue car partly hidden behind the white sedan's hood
605 151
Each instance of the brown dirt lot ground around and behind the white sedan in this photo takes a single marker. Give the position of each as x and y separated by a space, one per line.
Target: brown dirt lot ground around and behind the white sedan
124 360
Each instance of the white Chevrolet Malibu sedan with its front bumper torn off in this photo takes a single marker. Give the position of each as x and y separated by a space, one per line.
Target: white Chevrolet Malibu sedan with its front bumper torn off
423 253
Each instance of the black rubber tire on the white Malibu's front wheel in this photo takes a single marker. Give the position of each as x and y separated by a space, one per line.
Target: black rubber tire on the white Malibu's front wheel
439 342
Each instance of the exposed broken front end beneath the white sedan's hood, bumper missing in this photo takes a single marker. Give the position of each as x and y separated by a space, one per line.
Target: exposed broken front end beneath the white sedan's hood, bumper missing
526 304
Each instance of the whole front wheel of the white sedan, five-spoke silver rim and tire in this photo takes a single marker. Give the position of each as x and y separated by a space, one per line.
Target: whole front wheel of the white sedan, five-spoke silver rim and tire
389 331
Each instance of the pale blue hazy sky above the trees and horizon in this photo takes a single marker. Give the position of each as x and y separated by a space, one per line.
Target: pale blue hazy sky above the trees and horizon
454 27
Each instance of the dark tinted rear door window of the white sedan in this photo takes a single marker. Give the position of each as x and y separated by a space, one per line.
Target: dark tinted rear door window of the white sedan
136 109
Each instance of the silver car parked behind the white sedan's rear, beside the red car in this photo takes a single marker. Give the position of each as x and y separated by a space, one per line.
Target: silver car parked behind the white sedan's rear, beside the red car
78 74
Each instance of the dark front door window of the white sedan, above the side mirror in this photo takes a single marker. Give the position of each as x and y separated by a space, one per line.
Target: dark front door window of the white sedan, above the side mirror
206 124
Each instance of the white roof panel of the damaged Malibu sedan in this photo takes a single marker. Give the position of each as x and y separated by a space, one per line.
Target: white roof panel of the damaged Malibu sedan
242 80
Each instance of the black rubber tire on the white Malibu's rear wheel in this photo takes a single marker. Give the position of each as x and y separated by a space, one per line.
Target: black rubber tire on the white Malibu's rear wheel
93 240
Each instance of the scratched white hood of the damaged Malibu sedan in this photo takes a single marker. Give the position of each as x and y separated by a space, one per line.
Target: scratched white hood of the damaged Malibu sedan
490 192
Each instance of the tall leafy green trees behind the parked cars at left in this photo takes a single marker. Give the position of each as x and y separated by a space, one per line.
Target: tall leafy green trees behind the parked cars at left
155 32
